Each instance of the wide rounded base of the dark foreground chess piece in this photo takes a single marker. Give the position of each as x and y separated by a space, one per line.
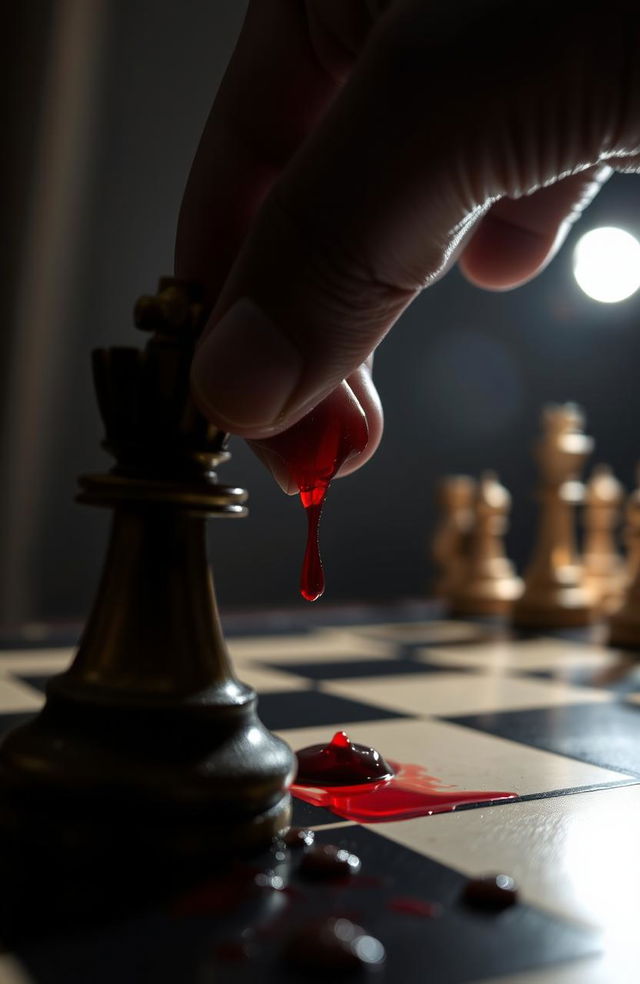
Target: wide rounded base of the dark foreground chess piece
95 775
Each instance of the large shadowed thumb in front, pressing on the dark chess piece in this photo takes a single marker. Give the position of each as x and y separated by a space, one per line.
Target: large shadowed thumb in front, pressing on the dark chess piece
448 111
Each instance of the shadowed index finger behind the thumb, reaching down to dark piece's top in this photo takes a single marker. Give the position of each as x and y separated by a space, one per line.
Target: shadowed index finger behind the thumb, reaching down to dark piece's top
272 93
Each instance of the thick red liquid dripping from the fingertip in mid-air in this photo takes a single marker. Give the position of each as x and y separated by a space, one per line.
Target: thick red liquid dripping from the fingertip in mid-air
310 454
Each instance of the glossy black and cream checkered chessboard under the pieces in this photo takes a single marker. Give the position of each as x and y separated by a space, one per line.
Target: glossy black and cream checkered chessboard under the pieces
553 717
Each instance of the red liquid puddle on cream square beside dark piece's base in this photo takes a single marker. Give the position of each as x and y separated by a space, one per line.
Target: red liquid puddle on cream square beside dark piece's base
409 791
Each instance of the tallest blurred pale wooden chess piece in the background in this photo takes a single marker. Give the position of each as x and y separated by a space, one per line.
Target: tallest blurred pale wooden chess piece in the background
555 593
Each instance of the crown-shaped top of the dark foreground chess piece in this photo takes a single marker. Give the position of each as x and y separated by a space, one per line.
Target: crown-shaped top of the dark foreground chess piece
152 426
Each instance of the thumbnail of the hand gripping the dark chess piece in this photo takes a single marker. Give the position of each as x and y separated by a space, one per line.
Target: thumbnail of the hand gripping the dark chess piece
245 370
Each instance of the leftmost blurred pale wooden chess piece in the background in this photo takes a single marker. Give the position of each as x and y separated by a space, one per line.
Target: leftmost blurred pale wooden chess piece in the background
455 499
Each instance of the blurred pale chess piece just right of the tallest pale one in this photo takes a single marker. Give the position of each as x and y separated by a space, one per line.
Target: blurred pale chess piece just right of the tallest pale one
603 565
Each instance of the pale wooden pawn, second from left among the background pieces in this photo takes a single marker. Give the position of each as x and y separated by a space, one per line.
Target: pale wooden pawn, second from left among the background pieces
489 585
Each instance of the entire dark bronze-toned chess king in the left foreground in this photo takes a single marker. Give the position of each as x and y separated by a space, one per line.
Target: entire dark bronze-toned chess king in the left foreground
148 744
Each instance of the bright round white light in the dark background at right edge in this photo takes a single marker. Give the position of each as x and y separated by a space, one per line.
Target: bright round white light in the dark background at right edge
606 264
